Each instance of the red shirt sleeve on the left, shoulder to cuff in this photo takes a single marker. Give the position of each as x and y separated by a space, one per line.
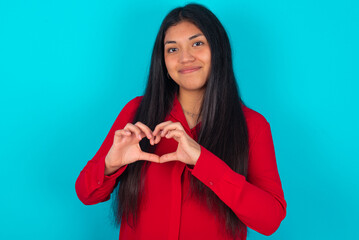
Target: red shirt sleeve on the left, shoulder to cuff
92 186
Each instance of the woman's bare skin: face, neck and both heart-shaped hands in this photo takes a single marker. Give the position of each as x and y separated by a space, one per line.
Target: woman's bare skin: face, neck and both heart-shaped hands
188 62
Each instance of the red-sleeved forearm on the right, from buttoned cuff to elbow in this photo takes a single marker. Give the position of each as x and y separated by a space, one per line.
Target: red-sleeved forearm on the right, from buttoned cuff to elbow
261 209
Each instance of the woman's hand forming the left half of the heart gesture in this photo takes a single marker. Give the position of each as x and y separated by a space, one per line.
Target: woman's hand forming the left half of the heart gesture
126 149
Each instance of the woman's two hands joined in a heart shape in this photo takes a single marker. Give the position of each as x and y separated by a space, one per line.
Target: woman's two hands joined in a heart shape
126 149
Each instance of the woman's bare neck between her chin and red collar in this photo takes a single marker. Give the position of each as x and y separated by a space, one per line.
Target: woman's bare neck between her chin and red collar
191 101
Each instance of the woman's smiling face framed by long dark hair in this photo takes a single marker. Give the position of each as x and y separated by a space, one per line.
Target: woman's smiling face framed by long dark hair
187 56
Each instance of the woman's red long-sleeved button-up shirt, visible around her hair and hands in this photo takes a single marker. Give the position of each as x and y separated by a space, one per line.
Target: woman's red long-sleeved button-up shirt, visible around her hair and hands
168 211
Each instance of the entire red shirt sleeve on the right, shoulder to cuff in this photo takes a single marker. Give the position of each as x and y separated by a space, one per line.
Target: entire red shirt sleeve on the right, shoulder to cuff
258 201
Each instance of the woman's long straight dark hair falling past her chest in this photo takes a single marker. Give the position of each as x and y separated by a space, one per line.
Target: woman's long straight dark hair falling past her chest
223 127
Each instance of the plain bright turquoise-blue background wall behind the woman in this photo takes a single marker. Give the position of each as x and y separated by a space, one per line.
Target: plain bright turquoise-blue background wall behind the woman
68 67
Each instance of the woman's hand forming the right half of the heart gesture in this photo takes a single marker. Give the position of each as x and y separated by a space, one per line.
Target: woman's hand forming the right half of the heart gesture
188 150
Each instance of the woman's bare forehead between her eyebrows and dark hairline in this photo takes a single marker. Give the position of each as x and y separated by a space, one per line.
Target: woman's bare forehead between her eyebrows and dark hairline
181 31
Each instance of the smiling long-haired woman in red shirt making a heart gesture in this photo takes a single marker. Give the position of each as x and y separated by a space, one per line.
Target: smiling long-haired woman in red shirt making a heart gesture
207 168
